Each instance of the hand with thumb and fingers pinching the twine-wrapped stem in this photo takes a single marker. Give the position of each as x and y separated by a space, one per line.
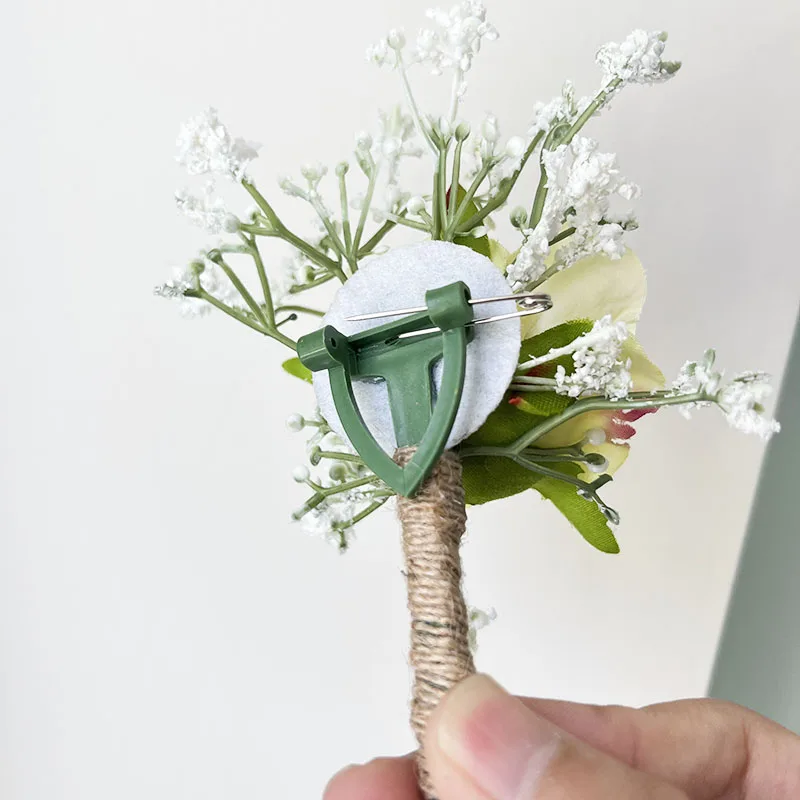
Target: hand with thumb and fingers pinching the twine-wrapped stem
484 744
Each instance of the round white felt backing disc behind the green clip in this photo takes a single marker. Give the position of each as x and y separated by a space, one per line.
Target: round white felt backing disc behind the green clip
400 279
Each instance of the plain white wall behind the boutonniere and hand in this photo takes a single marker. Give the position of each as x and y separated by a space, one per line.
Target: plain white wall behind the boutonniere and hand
165 631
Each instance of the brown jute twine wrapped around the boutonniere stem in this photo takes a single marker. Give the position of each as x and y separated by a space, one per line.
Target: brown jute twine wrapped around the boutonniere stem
433 523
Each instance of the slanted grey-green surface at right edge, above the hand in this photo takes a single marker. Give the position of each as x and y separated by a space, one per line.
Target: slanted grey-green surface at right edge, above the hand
758 663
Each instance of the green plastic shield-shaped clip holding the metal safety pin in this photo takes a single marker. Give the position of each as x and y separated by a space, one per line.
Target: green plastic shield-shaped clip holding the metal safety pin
420 416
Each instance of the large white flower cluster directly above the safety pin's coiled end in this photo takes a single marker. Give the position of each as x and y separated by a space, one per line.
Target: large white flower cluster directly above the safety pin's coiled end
581 182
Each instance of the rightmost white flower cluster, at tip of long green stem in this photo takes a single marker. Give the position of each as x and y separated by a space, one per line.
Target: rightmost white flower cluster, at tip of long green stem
741 400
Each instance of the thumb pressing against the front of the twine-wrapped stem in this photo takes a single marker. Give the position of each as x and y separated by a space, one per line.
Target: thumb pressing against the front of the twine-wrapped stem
484 744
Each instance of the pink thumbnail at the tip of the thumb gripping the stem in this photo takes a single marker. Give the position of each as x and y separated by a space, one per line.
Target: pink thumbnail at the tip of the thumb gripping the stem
491 736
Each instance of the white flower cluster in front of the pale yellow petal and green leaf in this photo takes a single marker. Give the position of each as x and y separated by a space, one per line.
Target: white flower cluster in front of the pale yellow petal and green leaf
599 366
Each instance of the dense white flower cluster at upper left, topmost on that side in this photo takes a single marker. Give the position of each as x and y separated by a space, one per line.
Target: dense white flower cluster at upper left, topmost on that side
205 146
